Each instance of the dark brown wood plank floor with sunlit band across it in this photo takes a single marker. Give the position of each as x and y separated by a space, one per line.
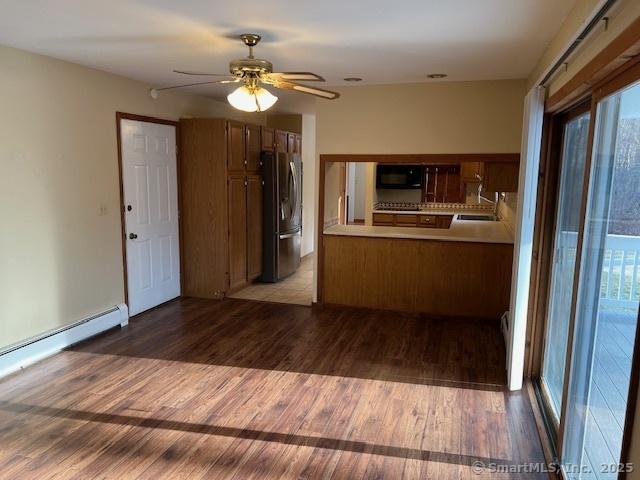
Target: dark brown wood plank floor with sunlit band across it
205 389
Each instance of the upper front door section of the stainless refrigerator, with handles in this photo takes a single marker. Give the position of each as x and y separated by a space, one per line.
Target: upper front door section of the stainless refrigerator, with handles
289 191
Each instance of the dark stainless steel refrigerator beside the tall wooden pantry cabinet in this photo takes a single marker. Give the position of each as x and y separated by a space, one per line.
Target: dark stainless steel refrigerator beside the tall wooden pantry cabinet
282 215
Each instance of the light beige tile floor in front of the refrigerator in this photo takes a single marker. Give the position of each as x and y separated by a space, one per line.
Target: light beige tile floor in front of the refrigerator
296 289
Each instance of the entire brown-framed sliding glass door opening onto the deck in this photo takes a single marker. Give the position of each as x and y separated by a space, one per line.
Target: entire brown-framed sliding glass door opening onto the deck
592 292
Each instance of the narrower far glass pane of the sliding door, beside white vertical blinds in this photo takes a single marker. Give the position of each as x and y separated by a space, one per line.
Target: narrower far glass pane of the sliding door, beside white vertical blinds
574 155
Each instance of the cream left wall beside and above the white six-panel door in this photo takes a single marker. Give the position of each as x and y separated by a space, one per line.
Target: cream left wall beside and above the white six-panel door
61 260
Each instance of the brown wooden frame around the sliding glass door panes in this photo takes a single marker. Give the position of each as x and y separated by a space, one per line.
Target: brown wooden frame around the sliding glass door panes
623 76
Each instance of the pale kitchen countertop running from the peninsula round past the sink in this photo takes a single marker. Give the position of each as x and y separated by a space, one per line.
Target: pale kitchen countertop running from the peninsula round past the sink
477 231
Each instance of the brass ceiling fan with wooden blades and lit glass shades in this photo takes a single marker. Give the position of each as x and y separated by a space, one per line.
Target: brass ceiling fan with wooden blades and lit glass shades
252 73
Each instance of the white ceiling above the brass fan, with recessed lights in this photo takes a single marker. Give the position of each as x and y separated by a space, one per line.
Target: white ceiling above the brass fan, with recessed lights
382 41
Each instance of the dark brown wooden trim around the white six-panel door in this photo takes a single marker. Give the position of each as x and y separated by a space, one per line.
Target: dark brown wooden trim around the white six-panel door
142 118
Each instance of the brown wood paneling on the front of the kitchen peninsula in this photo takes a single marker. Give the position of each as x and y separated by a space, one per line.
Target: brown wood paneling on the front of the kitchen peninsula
435 277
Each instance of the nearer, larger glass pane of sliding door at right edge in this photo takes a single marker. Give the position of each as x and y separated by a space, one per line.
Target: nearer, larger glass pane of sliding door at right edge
607 296
